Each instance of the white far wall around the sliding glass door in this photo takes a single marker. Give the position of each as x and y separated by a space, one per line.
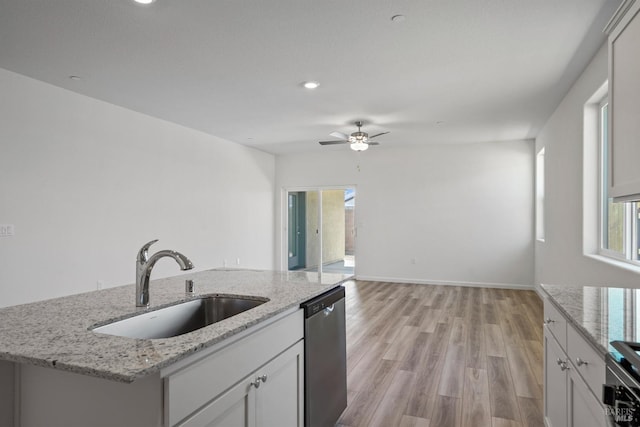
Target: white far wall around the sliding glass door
463 212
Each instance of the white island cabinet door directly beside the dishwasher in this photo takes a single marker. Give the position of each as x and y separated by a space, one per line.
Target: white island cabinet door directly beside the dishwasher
279 399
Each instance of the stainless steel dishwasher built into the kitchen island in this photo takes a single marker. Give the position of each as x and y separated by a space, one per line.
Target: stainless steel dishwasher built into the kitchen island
325 359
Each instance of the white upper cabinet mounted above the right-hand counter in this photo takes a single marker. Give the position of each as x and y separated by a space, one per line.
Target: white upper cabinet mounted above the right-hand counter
624 102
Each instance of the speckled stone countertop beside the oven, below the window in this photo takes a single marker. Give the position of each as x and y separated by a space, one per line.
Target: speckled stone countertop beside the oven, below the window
601 314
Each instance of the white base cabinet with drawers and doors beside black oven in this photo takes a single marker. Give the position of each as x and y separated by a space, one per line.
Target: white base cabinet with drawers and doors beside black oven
573 370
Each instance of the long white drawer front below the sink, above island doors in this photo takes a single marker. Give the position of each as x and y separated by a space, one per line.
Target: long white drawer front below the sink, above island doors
192 387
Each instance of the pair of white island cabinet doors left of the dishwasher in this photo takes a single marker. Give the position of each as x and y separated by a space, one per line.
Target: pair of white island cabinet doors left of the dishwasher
268 397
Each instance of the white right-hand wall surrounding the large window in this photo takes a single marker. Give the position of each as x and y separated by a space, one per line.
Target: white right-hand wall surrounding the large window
562 258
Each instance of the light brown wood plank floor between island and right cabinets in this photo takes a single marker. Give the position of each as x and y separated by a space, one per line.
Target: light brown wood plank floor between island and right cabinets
442 356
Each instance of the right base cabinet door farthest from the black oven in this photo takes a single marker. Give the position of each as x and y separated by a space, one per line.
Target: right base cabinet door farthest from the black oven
555 383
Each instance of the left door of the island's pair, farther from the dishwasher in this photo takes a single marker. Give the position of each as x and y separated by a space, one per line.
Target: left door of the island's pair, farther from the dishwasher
235 408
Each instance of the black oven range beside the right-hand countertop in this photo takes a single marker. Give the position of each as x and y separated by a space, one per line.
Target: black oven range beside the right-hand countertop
621 393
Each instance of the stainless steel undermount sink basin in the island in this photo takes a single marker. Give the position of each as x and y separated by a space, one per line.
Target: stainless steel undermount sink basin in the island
181 318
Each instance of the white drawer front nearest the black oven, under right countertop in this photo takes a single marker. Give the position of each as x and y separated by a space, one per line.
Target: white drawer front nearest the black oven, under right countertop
580 351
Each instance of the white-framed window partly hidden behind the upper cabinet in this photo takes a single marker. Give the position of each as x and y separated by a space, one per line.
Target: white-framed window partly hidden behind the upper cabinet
619 221
